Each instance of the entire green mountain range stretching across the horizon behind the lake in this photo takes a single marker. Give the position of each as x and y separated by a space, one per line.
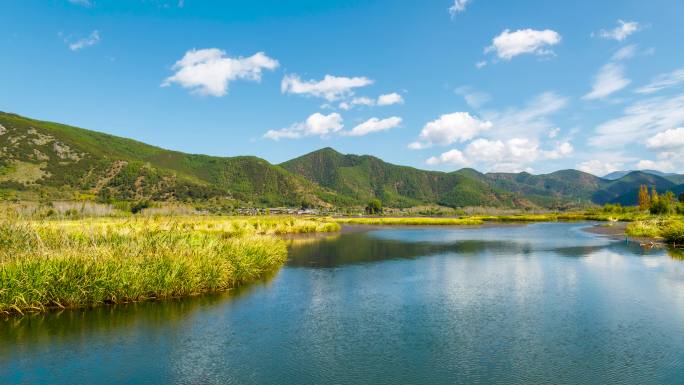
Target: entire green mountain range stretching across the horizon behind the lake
43 160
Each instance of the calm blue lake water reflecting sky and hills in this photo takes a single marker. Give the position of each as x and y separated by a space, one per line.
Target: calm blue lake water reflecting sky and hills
541 303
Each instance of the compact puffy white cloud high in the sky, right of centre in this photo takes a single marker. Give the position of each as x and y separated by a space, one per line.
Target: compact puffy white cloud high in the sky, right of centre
524 41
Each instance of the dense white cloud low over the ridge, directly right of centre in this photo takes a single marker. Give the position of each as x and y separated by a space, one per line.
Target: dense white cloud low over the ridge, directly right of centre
448 128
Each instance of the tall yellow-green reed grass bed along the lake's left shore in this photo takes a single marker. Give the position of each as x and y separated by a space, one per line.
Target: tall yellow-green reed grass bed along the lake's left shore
69 263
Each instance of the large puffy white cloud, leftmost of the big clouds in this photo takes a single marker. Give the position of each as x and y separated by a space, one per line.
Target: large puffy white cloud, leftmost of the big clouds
209 71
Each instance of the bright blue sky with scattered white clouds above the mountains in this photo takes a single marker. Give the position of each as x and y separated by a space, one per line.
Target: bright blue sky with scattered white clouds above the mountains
508 86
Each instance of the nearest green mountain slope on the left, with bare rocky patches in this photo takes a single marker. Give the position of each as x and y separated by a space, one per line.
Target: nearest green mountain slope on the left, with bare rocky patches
59 161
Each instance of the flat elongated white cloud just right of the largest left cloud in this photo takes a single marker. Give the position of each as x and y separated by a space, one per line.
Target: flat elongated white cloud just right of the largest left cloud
331 87
